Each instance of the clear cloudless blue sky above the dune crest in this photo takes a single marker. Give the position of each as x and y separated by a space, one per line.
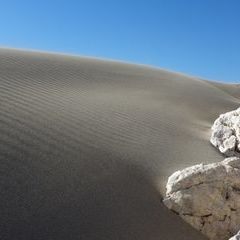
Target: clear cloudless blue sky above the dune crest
197 37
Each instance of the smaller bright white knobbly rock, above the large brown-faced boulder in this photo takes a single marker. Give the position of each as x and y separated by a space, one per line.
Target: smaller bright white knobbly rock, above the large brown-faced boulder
226 133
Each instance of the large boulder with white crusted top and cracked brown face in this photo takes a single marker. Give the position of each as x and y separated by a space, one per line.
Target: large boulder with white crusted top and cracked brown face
208 197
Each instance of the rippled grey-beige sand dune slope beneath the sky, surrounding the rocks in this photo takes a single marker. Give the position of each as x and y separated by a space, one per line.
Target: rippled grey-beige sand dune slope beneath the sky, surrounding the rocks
86 146
